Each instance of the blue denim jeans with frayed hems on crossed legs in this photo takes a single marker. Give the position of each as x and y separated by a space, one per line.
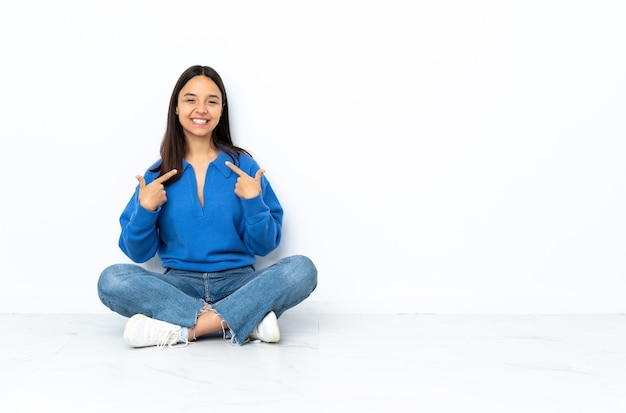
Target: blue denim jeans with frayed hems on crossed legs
242 297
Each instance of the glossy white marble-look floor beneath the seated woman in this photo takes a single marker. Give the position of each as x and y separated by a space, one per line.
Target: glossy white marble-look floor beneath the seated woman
351 363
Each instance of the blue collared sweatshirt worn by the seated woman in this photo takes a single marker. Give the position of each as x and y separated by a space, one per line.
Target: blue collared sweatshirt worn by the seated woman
227 232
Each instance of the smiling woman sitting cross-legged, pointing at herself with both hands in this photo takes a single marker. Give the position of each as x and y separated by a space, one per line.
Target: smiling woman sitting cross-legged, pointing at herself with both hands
207 210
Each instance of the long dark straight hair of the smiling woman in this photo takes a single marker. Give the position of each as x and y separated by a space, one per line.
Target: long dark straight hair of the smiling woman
174 146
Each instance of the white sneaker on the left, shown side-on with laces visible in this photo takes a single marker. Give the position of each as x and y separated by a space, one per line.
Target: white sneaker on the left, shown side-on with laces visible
143 331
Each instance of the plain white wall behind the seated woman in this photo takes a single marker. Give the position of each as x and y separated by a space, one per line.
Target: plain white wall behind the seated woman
432 156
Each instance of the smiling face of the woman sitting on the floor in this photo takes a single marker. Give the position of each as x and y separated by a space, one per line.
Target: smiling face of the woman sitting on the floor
199 107
